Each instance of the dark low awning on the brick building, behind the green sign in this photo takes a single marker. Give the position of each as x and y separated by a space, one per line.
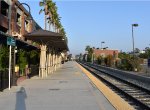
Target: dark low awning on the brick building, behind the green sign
19 43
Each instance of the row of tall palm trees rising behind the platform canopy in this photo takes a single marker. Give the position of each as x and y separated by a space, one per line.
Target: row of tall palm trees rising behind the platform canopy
50 10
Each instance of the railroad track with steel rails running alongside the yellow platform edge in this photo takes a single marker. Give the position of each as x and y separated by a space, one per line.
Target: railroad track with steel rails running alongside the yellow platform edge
137 96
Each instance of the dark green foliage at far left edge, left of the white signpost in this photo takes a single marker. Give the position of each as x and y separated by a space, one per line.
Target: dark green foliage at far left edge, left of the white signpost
4 57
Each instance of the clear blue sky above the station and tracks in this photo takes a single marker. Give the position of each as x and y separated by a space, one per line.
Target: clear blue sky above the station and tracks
89 22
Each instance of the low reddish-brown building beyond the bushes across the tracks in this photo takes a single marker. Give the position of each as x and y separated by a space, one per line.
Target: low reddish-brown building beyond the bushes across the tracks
105 52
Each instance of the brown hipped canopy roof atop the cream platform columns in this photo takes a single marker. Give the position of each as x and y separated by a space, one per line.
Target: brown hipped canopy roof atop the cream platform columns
49 38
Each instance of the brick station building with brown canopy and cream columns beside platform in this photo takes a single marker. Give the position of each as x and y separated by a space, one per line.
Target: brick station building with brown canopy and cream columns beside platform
15 23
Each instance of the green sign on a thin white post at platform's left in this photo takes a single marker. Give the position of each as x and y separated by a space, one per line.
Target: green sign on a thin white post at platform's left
11 42
